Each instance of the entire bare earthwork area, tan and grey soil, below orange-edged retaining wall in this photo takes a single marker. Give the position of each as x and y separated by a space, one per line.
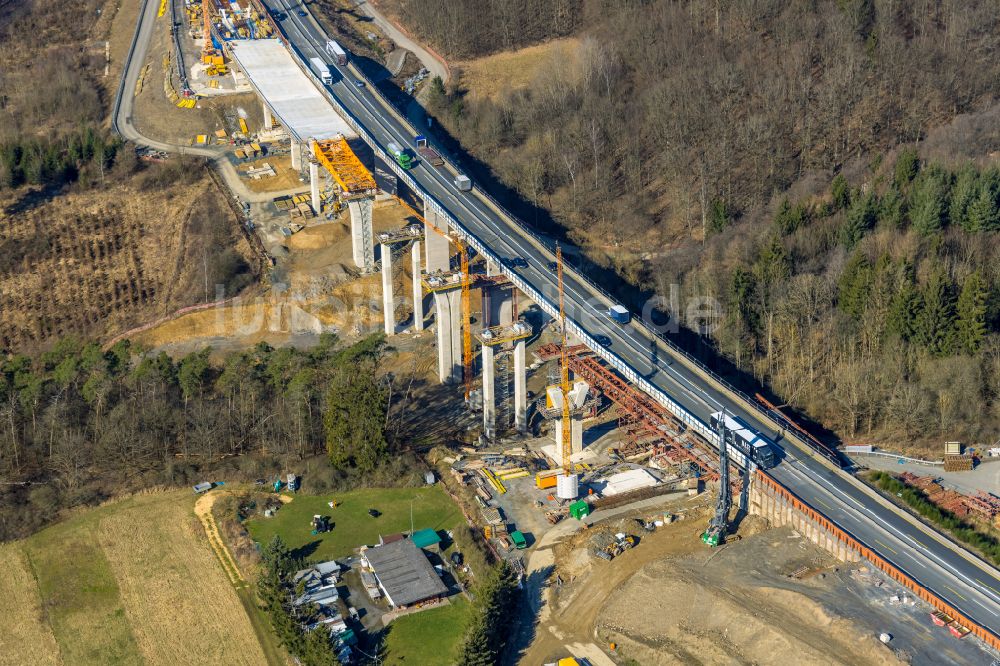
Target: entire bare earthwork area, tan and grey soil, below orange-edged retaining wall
770 597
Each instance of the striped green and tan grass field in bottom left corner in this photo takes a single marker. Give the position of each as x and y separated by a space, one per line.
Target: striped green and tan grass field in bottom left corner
133 582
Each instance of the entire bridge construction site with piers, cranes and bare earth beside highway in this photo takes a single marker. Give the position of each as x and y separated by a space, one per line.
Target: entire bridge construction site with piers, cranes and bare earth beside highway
588 485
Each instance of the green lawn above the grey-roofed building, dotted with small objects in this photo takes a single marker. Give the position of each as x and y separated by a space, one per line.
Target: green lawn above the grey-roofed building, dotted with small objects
352 526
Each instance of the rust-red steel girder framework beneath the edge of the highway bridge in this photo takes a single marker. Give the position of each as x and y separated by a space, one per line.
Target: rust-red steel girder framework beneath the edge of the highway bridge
645 422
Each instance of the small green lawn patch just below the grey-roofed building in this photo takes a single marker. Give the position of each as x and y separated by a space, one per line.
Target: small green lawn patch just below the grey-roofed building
428 637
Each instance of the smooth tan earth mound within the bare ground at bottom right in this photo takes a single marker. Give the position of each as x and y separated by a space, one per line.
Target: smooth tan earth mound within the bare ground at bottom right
667 614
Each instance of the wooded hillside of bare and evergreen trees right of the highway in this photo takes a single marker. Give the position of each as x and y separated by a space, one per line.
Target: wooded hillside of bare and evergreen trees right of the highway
666 149
